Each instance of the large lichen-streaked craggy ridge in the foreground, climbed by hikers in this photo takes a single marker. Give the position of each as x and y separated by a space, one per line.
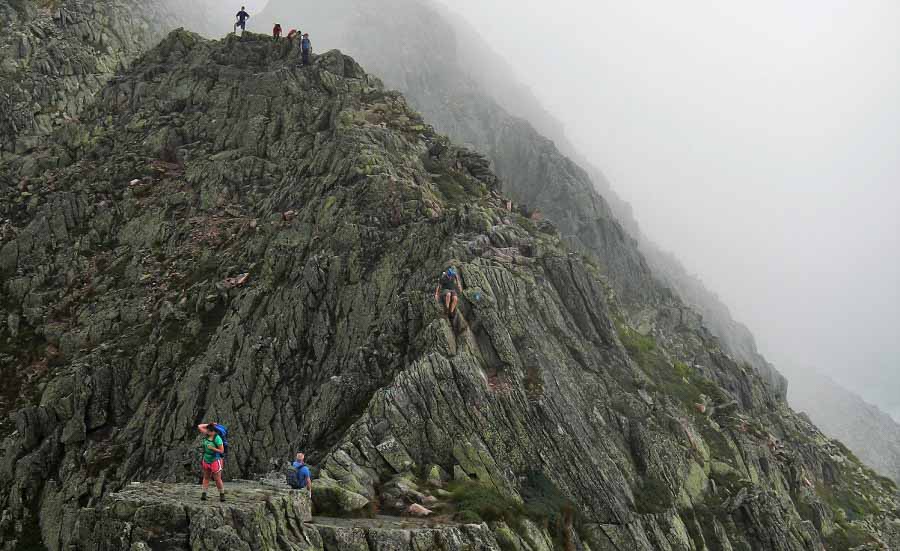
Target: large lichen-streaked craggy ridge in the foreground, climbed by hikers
220 234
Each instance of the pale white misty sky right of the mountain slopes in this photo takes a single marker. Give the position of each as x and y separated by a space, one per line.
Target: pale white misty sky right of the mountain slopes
759 142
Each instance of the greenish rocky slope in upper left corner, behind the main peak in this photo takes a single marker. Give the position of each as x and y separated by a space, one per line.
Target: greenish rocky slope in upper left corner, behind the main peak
56 55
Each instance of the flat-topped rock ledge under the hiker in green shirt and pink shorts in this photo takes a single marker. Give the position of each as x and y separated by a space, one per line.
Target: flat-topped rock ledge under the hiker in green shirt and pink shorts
255 516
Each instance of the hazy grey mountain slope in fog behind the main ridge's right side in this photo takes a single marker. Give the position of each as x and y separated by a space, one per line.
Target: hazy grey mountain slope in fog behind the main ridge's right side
416 48
